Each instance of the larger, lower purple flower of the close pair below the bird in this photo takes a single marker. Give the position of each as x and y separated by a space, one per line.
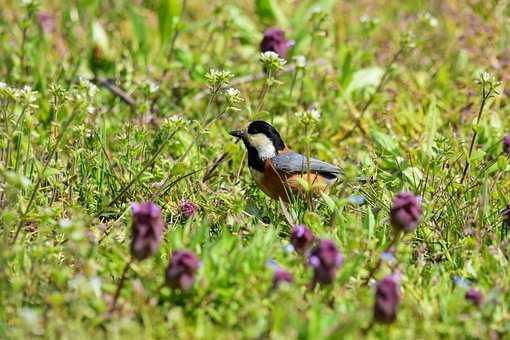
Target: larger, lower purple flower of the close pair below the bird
325 259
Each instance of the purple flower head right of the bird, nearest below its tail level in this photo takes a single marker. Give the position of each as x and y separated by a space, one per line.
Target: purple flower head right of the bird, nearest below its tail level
406 211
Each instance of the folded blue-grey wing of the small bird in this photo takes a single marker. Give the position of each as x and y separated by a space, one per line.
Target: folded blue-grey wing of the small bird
293 162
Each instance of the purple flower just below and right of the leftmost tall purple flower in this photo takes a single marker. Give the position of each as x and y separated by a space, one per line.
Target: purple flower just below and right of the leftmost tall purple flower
182 269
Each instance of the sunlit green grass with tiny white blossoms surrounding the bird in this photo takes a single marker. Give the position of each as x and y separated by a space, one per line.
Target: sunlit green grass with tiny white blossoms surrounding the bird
400 107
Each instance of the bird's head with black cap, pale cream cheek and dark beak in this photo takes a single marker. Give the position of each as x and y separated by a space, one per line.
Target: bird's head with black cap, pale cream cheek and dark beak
262 138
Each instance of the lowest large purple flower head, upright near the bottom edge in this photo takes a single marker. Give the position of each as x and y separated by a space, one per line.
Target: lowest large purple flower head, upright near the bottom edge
387 299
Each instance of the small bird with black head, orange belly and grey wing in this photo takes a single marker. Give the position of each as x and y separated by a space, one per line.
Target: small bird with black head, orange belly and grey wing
278 170
